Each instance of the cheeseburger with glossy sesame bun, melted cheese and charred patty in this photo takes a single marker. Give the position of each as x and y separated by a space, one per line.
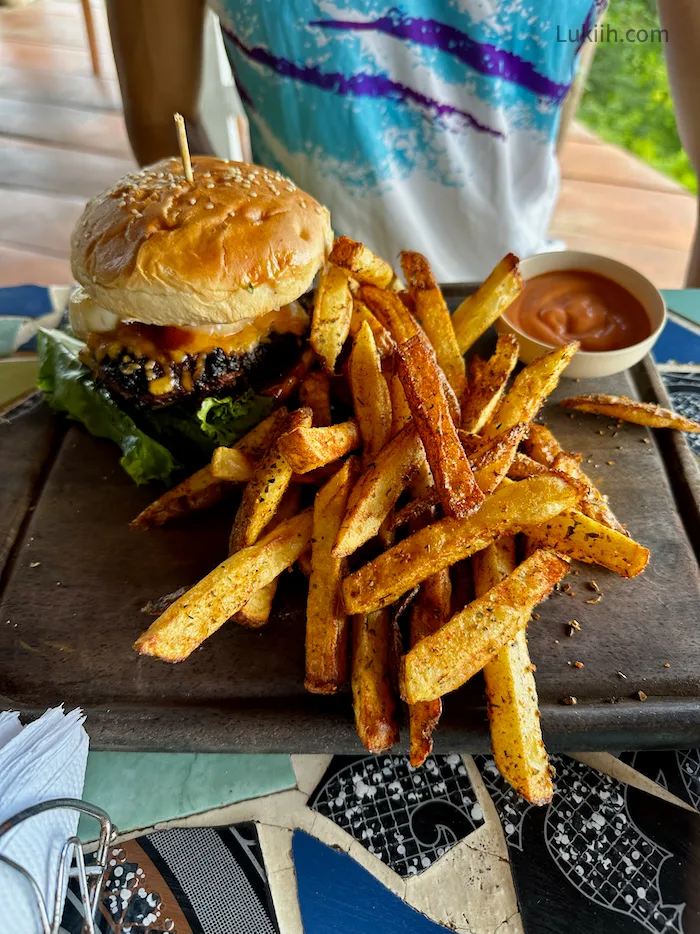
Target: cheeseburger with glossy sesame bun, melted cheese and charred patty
189 291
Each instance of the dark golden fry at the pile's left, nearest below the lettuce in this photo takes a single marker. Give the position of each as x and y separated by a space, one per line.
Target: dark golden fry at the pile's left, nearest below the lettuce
203 489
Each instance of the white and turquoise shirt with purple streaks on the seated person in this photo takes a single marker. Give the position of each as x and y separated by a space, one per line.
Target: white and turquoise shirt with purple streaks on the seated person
427 125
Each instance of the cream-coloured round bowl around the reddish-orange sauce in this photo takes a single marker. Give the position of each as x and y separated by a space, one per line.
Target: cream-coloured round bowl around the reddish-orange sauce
587 365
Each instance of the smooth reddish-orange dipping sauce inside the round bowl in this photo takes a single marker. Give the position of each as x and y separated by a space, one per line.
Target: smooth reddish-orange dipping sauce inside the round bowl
564 305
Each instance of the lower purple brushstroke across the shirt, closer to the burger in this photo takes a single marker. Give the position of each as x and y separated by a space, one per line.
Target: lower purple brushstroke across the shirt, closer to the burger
379 86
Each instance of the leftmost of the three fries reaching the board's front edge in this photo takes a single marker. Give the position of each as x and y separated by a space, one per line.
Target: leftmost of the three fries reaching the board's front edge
372 696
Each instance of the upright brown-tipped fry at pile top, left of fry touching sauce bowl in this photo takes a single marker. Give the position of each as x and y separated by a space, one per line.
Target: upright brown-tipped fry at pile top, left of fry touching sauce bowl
435 317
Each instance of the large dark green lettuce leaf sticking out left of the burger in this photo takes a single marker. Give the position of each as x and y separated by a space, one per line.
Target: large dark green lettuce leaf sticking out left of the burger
69 388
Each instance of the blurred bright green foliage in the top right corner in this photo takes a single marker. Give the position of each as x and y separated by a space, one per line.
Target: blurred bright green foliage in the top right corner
628 100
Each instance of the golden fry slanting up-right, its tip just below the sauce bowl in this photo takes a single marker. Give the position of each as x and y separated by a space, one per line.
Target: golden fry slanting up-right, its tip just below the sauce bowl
530 388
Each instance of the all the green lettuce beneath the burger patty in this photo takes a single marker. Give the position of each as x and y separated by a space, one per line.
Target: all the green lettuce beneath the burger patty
156 444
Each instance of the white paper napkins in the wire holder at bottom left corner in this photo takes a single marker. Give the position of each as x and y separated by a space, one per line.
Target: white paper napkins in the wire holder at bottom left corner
45 759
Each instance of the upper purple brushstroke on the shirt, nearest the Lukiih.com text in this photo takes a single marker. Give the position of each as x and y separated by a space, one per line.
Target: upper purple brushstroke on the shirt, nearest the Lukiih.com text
481 56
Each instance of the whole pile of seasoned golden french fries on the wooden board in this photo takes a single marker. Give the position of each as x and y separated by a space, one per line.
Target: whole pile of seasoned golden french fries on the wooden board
428 510
